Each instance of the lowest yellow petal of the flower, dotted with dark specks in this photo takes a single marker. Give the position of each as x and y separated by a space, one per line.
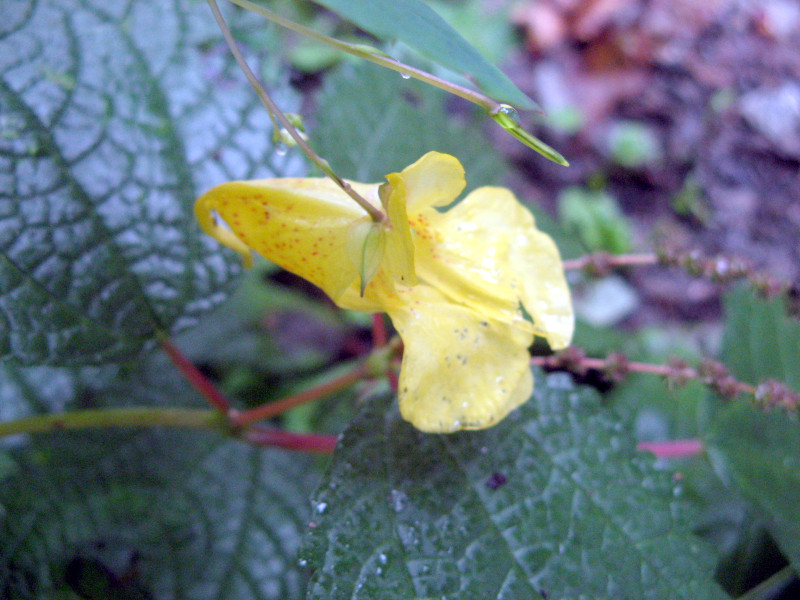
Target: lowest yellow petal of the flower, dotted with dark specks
460 370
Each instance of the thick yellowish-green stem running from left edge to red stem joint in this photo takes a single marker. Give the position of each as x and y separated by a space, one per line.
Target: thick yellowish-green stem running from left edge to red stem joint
137 416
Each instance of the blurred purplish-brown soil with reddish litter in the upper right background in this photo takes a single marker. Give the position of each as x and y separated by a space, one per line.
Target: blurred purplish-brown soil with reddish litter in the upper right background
718 85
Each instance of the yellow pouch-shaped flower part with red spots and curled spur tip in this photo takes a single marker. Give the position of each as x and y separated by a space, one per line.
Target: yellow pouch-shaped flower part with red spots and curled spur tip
299 224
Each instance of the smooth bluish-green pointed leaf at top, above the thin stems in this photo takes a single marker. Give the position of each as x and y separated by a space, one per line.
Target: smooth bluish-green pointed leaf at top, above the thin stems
417 25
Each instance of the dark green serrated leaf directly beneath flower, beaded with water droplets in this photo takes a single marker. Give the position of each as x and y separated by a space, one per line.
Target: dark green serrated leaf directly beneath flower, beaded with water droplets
554 502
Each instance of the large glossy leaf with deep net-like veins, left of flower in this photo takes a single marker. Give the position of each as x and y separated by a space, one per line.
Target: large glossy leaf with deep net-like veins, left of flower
114 118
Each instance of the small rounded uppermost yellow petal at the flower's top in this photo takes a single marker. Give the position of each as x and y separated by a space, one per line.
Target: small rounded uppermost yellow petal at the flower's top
436 179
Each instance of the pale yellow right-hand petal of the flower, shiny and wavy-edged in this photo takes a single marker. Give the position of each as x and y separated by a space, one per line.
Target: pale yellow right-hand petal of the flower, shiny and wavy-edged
487 253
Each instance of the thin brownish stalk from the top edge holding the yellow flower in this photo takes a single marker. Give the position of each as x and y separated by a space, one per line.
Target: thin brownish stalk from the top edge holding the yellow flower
276 114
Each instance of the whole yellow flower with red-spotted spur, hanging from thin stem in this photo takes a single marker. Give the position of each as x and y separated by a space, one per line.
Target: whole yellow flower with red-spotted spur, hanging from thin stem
466 288
